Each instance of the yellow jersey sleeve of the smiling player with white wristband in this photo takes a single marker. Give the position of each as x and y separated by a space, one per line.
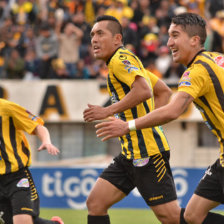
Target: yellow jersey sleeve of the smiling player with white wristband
194 82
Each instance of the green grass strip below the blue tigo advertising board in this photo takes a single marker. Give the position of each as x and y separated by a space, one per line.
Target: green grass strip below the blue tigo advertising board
117 216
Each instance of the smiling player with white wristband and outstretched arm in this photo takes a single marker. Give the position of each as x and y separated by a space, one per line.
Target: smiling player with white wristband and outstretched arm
203 84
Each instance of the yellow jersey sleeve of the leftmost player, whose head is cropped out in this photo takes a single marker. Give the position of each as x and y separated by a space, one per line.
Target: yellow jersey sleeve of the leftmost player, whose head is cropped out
23 119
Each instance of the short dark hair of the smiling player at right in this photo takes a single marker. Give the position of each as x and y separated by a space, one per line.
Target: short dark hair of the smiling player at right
193 24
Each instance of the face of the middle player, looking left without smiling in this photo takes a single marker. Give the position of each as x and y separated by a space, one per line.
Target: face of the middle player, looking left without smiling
102 40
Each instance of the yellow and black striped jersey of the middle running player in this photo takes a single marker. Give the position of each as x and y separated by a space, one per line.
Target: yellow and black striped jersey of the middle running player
123 67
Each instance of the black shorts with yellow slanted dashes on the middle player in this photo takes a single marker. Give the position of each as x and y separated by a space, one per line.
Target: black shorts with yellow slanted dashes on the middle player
153 178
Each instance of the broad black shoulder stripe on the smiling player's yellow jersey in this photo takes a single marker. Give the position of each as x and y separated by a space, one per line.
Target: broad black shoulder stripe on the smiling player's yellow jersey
215 81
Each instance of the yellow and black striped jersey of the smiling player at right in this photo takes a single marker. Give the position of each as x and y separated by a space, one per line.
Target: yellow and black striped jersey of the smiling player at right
204 81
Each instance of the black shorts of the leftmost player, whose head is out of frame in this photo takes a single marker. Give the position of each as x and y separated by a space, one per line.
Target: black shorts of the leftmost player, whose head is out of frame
18 195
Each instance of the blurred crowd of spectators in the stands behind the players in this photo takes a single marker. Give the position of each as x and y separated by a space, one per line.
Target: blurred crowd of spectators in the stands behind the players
50 39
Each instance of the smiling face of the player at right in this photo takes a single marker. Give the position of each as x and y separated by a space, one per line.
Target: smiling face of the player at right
180 45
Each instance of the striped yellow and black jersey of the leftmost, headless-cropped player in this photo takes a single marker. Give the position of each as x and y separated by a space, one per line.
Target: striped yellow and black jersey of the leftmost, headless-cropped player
15 151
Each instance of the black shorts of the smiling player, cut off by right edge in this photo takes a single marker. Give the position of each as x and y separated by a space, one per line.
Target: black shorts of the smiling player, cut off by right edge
211 186
